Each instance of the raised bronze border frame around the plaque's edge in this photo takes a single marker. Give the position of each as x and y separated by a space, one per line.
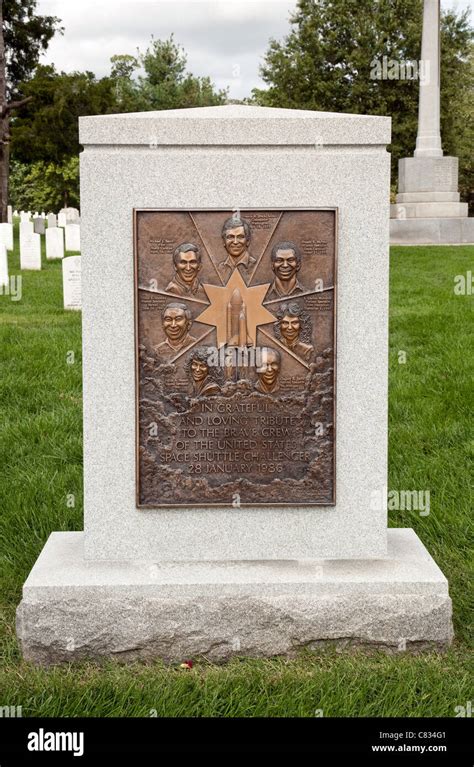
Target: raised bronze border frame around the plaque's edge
163 507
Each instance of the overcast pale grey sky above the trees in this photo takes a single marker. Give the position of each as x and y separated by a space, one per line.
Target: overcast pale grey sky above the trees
225 39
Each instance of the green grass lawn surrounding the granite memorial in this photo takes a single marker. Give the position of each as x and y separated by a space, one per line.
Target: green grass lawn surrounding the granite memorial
431 449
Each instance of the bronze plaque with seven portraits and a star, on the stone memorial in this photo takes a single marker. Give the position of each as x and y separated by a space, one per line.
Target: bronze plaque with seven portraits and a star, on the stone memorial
235 336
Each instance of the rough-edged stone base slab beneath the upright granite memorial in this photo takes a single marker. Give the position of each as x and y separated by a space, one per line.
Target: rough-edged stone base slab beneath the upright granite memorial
74 609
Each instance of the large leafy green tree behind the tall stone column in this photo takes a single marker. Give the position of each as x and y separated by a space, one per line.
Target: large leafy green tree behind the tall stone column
327 63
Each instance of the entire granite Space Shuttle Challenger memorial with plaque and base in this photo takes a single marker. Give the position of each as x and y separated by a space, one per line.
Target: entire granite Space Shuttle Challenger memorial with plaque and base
255 559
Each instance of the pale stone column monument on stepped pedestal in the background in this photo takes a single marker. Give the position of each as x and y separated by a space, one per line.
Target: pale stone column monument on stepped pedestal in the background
428 210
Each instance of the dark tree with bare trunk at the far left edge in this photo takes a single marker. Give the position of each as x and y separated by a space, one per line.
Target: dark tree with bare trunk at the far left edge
23 36
